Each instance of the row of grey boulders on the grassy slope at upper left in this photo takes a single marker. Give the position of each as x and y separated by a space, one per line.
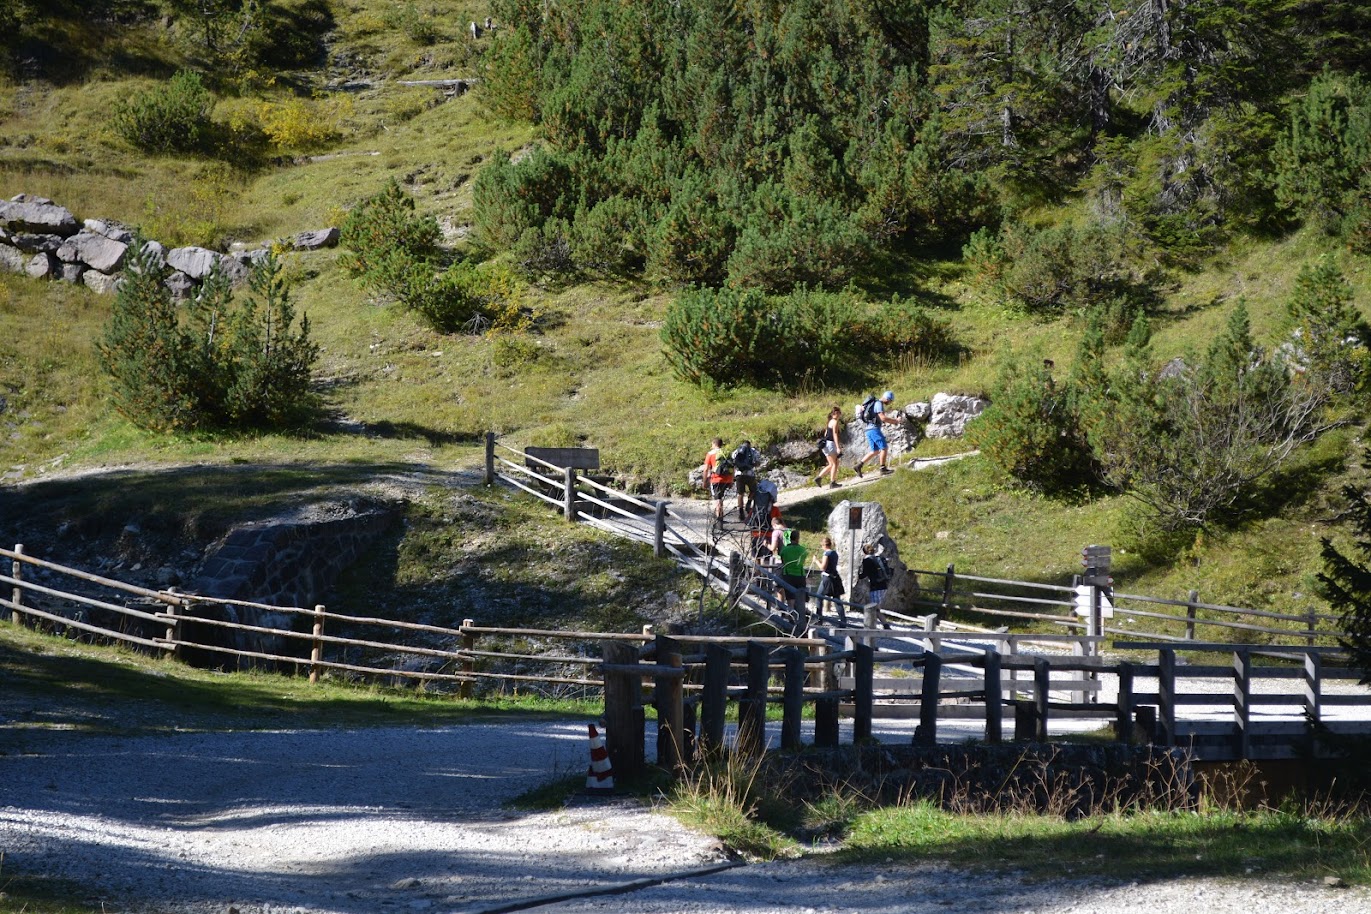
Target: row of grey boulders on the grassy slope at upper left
46 242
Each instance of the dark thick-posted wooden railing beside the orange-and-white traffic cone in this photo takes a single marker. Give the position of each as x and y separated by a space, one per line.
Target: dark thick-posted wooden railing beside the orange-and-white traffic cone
692 694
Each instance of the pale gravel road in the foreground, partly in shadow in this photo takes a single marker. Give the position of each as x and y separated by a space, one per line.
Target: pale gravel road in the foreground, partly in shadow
402 820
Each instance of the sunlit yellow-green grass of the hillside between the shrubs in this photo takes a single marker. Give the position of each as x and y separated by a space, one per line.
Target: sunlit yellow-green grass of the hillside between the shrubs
401 395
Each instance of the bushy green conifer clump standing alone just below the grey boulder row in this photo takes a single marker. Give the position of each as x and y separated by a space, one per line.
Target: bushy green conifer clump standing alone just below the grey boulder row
227 364
